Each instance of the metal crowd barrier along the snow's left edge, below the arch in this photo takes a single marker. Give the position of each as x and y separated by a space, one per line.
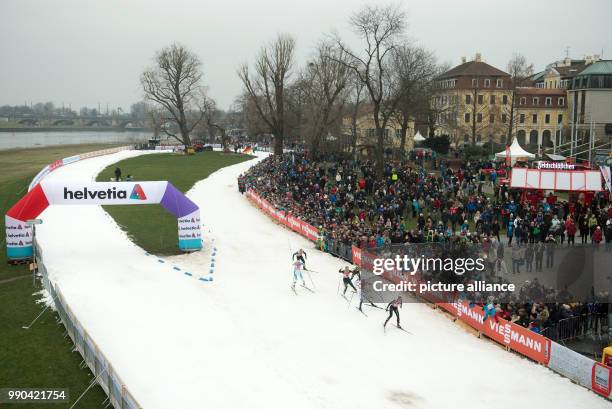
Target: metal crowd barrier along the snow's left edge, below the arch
118 395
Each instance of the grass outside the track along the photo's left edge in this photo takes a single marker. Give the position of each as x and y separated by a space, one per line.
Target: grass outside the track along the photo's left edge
41 356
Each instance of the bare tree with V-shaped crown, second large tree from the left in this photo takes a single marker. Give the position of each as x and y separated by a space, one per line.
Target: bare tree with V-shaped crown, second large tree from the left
268 84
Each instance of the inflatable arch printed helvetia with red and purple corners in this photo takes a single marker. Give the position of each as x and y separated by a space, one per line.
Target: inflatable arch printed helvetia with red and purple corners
45 193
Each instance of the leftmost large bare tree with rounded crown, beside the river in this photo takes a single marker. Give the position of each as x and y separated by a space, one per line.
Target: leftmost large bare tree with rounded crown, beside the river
175 84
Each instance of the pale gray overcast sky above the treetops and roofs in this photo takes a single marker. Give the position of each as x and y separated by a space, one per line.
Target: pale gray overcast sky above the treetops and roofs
85 52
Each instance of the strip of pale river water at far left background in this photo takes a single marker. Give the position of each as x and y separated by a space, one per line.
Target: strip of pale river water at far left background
11 140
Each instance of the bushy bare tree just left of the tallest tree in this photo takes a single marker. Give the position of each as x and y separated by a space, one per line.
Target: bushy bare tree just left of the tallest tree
325 84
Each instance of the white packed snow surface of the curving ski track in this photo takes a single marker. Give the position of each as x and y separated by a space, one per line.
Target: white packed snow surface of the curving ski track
245 340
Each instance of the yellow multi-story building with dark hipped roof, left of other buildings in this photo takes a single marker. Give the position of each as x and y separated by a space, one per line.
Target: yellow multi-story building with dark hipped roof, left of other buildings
472 102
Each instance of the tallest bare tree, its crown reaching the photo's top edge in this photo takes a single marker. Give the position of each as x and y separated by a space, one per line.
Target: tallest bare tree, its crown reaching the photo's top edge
382 29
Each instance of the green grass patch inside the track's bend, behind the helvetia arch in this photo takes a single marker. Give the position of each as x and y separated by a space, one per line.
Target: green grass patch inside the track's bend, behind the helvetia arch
151 227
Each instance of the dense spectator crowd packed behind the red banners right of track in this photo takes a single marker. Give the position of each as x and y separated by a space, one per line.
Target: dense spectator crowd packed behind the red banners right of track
427 200
